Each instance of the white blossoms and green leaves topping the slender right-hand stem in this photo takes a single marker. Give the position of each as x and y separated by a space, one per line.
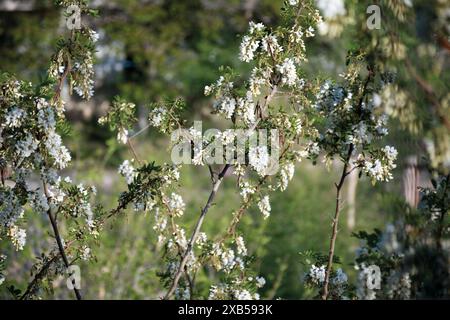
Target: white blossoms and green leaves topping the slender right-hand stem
355 123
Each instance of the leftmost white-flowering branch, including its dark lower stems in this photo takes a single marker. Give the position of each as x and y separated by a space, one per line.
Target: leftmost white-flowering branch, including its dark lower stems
31 148
